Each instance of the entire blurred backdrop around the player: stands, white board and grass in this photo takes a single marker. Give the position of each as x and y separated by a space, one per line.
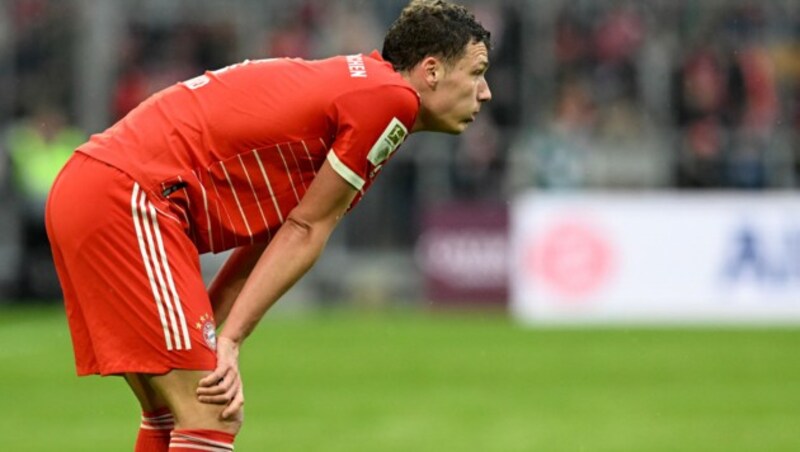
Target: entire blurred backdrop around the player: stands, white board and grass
636 175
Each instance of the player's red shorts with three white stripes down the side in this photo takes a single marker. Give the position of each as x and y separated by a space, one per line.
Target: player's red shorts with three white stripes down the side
133 290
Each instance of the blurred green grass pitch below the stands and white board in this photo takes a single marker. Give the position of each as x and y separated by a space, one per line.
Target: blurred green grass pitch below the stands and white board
416 381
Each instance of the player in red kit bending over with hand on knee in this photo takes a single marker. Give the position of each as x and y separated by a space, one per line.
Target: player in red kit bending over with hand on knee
262 157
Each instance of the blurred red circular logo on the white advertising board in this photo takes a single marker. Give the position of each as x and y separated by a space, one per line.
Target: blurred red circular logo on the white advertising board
573 259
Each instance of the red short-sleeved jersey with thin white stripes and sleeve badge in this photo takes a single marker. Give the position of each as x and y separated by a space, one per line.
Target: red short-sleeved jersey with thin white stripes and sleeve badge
233 151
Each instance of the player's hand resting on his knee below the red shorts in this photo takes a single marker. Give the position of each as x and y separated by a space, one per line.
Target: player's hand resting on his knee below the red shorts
224 385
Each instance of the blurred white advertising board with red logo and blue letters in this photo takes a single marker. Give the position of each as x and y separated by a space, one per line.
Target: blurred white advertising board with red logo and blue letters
656 258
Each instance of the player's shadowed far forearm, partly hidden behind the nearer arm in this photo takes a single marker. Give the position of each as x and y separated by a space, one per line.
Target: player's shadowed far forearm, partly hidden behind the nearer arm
230 279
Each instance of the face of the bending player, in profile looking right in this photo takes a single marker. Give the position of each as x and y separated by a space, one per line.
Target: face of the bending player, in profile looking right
461 91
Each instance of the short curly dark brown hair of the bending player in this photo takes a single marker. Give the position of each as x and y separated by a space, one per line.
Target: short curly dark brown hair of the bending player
431 28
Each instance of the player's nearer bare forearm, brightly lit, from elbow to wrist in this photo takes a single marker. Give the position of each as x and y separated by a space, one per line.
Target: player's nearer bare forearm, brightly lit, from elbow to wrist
290 254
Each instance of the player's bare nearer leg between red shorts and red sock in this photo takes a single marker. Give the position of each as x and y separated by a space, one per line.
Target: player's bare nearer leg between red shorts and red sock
179 389
